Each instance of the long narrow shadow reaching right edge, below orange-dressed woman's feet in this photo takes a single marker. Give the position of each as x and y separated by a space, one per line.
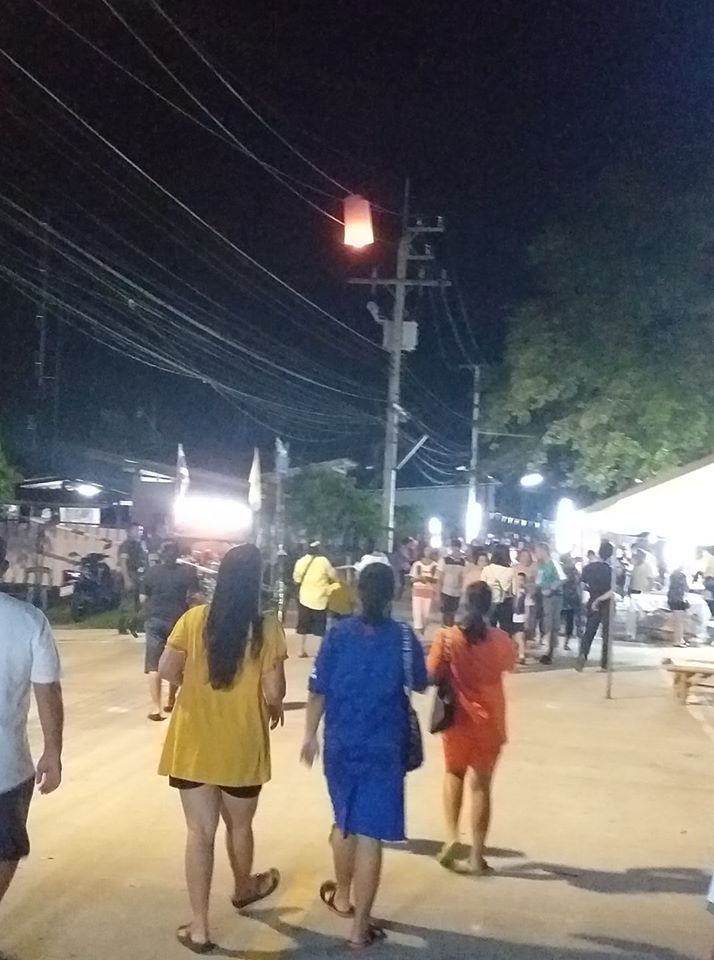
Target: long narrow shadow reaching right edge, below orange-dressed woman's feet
636 880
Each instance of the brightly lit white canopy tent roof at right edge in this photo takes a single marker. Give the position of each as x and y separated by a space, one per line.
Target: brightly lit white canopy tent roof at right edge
677 505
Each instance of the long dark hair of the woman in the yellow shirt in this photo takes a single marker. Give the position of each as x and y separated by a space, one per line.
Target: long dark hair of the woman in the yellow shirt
234 623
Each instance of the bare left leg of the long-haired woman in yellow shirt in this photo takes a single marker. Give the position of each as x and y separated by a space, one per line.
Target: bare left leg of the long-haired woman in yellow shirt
201 807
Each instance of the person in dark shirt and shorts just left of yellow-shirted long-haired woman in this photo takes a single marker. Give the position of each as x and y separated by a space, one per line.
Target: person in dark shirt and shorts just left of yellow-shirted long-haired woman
166 592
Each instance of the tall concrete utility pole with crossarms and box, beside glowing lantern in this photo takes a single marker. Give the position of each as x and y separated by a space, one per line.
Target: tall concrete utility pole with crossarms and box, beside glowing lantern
399 335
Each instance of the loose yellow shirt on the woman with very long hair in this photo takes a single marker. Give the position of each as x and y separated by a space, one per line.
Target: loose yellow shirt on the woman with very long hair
220 737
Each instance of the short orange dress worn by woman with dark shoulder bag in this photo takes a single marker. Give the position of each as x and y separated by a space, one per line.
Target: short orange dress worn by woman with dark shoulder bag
475 672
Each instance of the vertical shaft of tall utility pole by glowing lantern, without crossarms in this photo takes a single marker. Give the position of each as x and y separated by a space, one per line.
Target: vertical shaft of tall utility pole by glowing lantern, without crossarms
391 437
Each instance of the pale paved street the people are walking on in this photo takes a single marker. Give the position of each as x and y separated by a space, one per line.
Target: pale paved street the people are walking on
602 834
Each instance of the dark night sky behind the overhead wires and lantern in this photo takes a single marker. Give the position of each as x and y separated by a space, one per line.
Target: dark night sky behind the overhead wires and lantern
498 110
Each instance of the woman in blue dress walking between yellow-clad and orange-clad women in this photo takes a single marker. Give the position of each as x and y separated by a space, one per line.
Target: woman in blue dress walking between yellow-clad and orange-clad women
358 684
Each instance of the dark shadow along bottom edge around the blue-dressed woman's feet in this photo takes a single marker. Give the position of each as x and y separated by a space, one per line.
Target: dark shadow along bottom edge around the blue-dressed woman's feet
408 941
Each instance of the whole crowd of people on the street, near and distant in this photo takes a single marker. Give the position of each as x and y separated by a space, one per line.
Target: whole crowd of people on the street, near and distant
224 662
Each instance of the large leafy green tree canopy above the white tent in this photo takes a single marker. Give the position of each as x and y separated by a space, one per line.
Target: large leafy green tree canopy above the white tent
609 360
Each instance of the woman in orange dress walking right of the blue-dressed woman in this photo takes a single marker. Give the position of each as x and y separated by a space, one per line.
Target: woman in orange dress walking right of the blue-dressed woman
472 658
